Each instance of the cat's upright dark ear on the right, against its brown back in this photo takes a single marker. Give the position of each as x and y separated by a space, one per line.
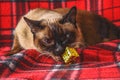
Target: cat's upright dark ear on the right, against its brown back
70 16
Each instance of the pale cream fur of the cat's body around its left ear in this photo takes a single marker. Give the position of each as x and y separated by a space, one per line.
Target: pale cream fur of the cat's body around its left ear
23 31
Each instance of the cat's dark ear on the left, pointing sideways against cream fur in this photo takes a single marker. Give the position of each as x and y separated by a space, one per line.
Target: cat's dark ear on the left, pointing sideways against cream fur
33 24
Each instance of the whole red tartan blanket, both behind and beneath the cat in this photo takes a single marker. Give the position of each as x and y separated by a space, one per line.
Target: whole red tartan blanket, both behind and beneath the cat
101 61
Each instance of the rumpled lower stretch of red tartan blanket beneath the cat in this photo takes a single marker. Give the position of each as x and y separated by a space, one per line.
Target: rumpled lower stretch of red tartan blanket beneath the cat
101 61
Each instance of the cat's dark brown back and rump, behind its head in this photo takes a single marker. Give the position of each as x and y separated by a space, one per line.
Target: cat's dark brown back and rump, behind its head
93 25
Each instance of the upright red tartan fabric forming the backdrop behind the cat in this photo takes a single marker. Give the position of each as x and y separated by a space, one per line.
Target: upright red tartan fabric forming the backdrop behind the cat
12 10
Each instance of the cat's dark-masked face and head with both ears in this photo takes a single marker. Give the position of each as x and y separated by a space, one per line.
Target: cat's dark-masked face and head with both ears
53 32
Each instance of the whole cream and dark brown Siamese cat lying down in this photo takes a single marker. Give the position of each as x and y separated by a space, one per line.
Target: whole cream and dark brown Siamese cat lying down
51 31
